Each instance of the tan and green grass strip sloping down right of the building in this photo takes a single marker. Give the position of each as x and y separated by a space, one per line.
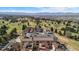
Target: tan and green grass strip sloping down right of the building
71 44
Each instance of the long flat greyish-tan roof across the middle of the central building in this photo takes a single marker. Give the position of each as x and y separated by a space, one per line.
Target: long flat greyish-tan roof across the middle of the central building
39 37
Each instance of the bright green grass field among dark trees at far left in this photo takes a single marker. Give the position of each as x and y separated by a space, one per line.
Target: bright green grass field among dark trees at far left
17 25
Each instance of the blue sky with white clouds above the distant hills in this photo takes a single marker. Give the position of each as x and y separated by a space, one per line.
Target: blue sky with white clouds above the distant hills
39 9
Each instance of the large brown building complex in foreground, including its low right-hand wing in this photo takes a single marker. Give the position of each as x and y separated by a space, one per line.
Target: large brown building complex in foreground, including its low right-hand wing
38 40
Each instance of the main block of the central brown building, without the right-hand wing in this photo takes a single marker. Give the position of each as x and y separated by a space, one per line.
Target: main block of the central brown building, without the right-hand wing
37 39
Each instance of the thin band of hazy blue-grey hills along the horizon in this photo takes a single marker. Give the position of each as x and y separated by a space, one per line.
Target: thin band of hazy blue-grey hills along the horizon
39 14
